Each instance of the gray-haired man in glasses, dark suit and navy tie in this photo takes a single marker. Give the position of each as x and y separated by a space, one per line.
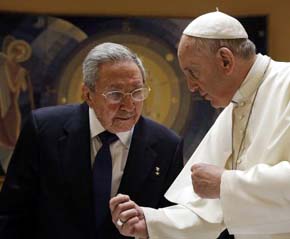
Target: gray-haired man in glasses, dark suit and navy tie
69 160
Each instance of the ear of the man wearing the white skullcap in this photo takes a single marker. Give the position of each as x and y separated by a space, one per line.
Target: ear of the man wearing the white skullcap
226 60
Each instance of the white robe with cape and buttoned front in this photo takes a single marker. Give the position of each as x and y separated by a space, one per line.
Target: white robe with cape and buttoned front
255 199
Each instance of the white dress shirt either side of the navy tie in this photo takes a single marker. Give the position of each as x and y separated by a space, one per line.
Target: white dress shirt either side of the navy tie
119 149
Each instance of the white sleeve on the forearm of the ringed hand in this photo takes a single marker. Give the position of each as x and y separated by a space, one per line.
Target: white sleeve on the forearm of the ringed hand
179 222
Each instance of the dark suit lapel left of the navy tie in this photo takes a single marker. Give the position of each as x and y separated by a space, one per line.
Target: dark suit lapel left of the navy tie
74 155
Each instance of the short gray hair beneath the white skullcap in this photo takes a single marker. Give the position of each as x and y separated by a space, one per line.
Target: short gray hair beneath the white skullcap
243 48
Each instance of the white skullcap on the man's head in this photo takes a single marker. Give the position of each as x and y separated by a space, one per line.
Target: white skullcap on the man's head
216 25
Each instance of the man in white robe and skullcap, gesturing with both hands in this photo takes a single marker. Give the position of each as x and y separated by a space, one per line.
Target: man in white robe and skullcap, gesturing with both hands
239 176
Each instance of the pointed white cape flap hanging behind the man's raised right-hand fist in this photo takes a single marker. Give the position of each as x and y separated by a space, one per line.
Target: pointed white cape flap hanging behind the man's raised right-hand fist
209 151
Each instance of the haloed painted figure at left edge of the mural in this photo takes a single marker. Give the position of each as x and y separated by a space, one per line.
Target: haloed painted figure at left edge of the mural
13 79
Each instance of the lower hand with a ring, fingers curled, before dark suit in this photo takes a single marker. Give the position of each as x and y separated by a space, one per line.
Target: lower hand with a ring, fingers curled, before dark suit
128 217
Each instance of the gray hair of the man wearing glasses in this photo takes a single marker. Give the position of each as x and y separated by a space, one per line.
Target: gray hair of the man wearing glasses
107 52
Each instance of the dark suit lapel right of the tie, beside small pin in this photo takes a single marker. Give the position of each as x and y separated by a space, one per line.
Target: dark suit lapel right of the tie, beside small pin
140 160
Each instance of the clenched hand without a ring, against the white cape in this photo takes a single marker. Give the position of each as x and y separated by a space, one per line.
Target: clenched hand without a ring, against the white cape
206 180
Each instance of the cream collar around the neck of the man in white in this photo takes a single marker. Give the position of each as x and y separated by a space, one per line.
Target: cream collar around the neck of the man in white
253 79
